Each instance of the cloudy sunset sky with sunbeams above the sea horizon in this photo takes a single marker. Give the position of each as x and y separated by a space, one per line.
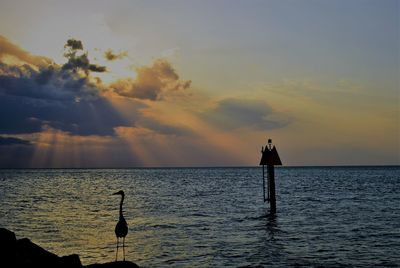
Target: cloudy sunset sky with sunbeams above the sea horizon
198 83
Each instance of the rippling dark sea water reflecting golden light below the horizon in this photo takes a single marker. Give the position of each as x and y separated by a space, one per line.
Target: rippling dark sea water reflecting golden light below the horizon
210 217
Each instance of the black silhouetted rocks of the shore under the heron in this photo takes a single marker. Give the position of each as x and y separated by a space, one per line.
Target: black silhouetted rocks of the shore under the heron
24 253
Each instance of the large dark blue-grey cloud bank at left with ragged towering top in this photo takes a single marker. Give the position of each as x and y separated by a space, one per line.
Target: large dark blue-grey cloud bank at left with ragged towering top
55 96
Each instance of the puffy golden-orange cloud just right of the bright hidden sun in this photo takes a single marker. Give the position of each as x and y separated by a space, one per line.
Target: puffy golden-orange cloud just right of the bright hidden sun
151 82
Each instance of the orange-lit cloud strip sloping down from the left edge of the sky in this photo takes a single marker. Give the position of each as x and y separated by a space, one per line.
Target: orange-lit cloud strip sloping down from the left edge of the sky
8 48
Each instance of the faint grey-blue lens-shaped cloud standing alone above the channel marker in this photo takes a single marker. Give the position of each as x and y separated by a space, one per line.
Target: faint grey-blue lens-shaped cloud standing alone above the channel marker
237 113
